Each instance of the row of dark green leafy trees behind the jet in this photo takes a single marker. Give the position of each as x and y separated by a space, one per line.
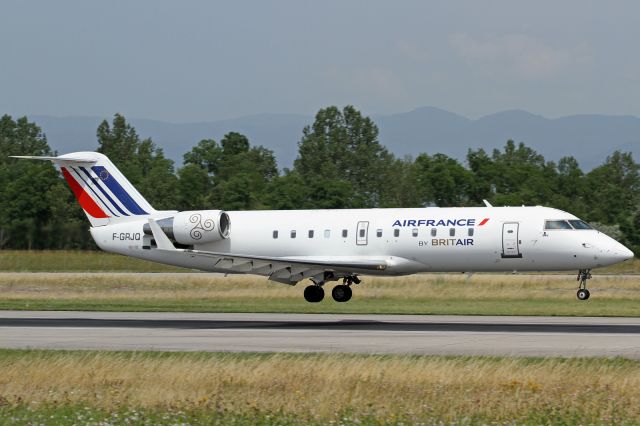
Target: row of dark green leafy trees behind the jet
341 163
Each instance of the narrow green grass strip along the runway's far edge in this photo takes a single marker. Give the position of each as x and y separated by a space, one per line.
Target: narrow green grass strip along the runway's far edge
544 307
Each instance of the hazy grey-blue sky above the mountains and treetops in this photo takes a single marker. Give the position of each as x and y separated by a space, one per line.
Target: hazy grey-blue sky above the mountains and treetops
205 60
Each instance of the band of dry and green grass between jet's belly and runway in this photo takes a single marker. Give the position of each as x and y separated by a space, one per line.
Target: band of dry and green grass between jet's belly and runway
420 294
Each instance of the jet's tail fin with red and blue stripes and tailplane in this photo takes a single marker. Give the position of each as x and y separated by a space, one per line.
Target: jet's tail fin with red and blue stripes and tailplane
105 195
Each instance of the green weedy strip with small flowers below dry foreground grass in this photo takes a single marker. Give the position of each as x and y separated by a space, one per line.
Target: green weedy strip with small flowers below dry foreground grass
82 415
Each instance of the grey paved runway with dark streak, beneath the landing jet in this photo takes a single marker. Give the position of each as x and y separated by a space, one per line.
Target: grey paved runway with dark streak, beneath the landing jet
373 334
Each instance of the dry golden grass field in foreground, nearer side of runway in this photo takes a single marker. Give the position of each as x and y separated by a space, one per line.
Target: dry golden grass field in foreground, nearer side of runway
128 388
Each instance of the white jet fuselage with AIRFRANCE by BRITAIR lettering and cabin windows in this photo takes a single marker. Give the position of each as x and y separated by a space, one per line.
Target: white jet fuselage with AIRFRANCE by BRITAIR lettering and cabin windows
411 240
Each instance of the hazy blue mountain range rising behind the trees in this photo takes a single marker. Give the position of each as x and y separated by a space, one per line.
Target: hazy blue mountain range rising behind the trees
589 138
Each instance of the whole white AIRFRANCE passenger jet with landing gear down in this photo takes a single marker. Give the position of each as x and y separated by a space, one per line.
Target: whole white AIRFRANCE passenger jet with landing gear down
289 246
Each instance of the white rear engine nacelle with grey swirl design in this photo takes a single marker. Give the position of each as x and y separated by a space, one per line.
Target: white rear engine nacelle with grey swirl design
195 227
